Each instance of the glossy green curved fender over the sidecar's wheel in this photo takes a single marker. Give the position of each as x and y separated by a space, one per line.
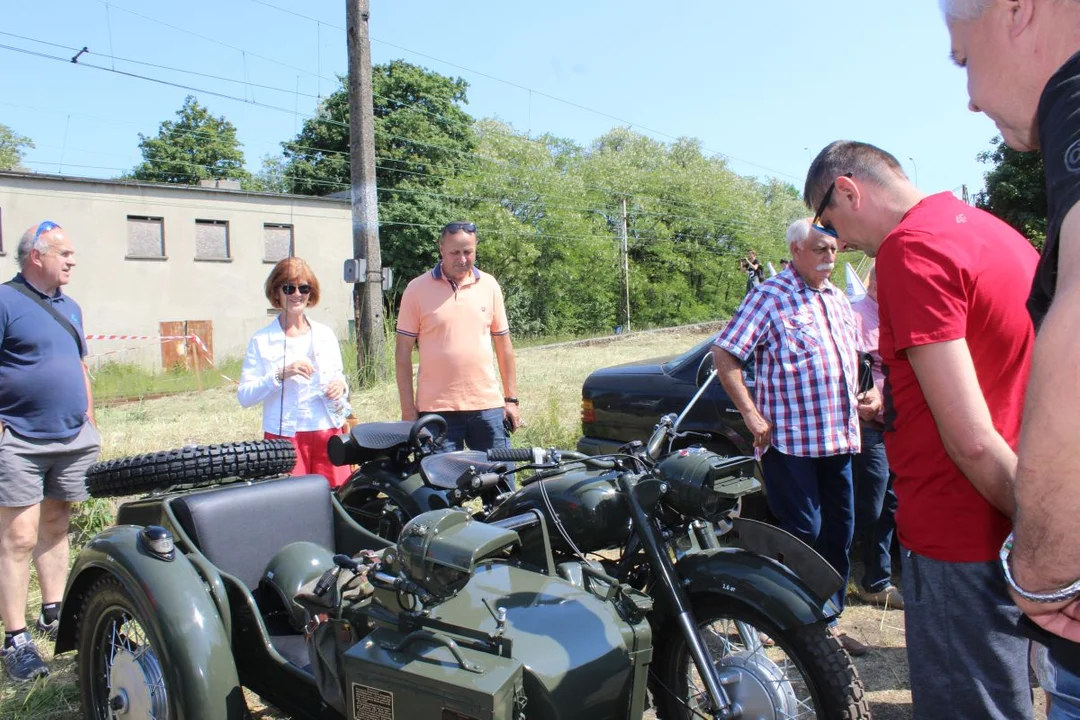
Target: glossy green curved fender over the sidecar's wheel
171 597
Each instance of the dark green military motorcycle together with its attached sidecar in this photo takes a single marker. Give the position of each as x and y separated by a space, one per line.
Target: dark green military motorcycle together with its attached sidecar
197 595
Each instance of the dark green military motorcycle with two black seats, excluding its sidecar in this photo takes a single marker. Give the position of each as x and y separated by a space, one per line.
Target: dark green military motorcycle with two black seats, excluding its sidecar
738 609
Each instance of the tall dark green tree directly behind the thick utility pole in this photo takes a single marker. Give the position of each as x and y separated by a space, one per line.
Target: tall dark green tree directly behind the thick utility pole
423 139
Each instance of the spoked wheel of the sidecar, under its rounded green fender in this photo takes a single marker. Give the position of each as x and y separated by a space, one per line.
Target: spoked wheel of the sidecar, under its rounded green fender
120 667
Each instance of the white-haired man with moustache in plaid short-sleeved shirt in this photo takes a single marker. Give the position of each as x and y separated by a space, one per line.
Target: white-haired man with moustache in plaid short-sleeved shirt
801 331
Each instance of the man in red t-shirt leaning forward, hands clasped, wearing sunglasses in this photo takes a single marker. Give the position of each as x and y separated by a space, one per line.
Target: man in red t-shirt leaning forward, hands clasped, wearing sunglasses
956 343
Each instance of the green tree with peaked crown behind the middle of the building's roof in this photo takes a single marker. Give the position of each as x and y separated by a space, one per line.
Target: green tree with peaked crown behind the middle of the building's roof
197 146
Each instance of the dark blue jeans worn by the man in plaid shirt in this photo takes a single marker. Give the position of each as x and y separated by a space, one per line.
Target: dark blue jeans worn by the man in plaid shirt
813 499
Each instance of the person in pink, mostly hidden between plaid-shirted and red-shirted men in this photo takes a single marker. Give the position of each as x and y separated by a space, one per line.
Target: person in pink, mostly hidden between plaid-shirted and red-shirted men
875 499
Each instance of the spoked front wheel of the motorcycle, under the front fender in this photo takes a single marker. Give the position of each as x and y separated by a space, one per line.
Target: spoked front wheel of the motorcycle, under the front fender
805 675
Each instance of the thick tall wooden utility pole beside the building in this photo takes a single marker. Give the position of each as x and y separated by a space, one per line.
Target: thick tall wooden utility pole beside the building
368 293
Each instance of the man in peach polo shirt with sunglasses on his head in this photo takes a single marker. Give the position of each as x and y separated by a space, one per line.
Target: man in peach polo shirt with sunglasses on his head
455 313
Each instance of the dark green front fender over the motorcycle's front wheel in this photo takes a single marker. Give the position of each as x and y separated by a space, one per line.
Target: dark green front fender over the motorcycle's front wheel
764 586
